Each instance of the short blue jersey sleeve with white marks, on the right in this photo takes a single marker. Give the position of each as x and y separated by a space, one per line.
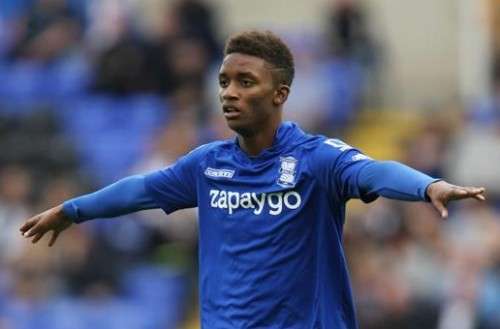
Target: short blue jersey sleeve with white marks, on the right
337 166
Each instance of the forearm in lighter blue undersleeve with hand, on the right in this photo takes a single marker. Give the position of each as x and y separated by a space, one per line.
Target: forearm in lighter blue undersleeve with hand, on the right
396 181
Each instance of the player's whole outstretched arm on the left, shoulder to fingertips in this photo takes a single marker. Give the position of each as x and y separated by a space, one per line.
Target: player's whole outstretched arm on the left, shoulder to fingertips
171 188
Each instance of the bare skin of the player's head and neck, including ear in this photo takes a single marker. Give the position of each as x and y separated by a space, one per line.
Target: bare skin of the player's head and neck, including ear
252 100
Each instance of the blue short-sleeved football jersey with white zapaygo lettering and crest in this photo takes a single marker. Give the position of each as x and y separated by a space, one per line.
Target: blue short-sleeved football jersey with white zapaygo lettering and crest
270 229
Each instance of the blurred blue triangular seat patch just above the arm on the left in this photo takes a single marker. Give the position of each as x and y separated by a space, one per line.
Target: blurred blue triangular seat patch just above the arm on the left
111 134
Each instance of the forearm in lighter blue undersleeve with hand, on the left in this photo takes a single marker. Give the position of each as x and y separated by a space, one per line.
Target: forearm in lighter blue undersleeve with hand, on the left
125 196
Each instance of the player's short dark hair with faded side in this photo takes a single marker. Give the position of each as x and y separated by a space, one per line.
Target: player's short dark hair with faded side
269 47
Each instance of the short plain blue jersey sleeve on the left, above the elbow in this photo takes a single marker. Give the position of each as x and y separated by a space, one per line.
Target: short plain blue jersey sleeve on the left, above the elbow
175 187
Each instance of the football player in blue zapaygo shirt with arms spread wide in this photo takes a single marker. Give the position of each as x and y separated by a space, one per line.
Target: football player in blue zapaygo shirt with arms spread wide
271 202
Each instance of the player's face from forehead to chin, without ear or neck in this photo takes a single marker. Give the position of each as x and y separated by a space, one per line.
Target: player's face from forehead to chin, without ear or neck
247 93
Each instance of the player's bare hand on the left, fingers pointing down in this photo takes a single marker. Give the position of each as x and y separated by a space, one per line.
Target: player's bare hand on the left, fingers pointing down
53 220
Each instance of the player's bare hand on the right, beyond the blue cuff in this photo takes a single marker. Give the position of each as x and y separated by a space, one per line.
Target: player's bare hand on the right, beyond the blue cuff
441 192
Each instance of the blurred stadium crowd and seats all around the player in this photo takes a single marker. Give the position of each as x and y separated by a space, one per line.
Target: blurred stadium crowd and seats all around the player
91 91
